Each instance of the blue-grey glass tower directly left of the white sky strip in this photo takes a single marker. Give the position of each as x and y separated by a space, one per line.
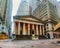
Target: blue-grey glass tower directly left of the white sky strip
9 16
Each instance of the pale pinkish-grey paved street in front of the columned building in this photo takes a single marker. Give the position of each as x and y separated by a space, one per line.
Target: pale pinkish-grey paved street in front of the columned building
30 44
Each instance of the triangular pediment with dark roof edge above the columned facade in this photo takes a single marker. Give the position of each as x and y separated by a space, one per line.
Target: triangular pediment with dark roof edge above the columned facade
27 18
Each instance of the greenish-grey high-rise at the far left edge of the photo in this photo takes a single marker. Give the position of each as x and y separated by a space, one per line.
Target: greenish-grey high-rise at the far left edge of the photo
3 7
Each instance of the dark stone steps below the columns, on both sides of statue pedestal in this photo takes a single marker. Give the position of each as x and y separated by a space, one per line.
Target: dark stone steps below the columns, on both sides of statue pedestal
28 37
